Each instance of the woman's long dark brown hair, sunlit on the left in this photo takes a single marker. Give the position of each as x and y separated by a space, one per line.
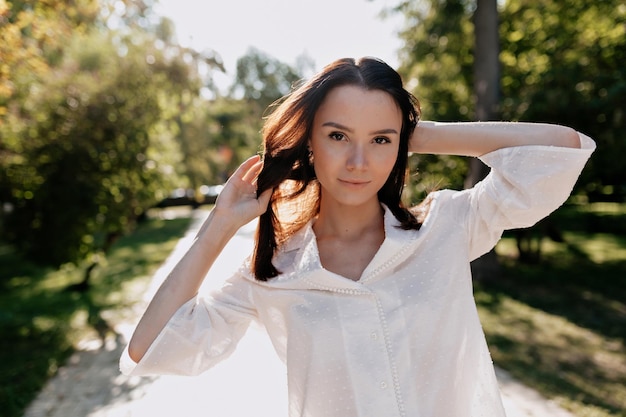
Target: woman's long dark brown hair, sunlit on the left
286 166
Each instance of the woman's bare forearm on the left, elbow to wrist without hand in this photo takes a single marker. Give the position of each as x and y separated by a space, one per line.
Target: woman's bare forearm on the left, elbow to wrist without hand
182 283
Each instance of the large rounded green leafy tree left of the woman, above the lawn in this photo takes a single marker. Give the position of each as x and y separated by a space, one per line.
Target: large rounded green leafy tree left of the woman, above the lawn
89 144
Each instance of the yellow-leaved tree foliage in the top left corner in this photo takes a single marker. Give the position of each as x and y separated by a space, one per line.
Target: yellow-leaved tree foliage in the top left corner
32 37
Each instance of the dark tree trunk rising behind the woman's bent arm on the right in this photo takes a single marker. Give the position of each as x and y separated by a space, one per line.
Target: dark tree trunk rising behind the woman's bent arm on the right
486 91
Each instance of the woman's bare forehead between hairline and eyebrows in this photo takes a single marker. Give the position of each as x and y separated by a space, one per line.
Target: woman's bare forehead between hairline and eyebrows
359 105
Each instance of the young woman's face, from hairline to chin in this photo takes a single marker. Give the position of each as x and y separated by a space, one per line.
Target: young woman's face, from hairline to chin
355 140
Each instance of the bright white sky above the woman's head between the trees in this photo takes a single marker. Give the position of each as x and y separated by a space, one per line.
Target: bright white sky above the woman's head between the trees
322 29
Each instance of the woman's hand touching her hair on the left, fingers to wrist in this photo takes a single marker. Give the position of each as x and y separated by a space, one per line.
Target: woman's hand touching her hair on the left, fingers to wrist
238 202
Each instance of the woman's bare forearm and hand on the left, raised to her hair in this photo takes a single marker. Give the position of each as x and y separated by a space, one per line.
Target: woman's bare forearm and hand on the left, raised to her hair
236 206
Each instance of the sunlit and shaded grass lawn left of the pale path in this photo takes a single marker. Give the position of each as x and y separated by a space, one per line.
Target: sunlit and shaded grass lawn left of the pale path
41 320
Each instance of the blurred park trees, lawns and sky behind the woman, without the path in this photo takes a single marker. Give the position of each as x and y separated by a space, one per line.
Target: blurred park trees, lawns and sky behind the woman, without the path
118 118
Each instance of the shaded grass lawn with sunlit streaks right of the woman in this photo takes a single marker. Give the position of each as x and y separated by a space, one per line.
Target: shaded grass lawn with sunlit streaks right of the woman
559 325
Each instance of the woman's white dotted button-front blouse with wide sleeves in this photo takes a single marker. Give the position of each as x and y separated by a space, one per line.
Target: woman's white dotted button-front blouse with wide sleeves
404 340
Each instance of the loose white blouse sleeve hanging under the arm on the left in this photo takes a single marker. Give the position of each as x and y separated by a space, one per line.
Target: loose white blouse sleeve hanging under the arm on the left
203 332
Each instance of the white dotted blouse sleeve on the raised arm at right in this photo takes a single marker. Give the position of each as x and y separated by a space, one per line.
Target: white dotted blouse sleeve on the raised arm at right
525 184
